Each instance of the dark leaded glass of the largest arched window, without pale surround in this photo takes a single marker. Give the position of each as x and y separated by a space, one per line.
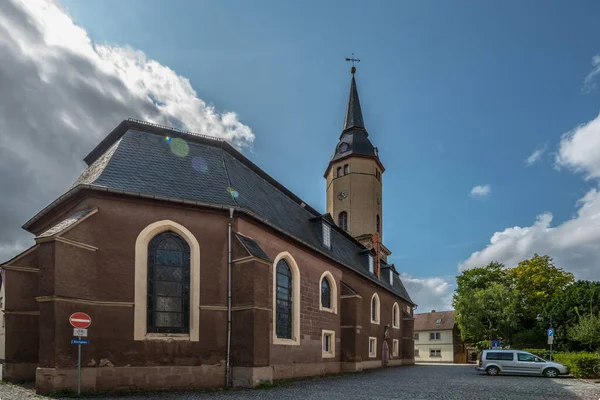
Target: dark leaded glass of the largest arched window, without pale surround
168 303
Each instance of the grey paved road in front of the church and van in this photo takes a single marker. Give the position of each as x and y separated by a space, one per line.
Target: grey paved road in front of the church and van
420 382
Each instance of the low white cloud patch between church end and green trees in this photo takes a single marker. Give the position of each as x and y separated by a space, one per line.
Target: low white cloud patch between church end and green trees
432 293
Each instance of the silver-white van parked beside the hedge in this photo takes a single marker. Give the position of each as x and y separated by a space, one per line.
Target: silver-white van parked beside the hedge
494 362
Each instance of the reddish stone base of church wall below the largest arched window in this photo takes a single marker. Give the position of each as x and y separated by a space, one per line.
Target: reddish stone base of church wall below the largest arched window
51 380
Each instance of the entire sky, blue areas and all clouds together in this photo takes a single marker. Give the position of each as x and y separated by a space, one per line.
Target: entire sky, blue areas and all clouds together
486 114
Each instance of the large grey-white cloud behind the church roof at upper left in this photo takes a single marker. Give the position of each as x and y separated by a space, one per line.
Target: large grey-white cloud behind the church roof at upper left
62 93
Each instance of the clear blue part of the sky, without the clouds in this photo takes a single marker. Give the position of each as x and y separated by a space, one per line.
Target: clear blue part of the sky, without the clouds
454 94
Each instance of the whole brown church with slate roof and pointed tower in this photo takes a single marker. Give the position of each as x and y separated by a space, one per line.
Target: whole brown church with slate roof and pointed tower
199 270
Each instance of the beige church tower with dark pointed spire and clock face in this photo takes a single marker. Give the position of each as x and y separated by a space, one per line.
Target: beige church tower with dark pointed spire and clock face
354 178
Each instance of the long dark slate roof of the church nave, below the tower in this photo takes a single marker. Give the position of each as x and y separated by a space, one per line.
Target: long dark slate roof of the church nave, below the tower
136 158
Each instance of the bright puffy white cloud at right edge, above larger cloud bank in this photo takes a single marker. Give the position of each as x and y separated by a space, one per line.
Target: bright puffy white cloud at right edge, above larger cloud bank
579 149
